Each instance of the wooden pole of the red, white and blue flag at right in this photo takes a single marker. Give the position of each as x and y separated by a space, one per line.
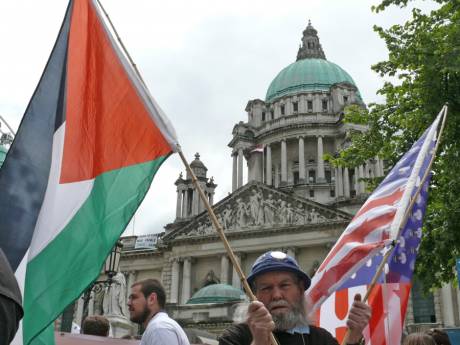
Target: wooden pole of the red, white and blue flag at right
404 220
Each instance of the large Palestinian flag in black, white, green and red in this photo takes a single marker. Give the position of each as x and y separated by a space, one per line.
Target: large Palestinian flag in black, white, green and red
82 161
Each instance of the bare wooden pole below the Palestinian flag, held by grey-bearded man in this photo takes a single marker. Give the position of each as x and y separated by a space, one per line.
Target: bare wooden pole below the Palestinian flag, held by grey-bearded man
222 235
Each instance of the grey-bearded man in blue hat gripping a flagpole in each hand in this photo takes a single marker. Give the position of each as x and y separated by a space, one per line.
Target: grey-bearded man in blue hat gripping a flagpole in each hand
279 285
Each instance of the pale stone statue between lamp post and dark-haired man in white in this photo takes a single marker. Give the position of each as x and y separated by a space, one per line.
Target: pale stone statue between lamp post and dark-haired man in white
114 302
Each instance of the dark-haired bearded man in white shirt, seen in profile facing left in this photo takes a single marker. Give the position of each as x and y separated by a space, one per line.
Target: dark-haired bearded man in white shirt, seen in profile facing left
146 307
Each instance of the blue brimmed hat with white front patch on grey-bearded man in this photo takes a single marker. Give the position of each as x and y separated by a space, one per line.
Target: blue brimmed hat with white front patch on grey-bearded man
277 261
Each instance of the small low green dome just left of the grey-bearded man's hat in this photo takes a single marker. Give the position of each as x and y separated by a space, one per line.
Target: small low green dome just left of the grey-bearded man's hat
217 293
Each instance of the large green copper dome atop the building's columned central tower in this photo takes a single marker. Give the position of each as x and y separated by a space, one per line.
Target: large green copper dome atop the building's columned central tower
308 74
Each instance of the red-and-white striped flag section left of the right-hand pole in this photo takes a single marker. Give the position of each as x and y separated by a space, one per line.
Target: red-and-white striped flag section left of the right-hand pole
377 223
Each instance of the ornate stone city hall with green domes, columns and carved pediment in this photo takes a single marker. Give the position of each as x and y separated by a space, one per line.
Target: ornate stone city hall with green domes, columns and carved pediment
293 201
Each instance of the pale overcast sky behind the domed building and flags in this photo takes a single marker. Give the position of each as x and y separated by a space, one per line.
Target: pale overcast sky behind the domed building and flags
202 60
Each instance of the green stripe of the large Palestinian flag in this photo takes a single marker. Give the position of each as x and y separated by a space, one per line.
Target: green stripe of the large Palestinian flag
66 266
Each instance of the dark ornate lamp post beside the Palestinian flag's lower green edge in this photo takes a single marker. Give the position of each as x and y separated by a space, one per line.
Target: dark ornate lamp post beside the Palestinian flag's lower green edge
111 265
